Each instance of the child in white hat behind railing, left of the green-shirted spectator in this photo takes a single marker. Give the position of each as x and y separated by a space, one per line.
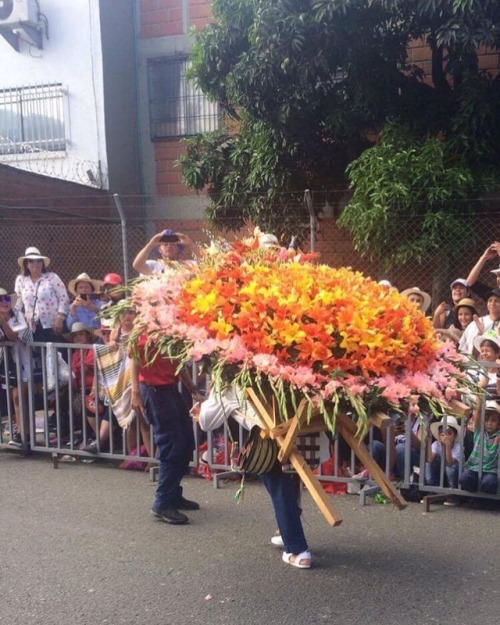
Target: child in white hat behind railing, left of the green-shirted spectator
446 448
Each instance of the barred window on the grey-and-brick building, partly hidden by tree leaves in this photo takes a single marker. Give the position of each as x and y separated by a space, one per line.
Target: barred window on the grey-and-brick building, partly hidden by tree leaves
176 107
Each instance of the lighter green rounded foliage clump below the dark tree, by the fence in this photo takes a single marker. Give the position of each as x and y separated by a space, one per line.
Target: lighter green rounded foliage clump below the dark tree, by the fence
408 181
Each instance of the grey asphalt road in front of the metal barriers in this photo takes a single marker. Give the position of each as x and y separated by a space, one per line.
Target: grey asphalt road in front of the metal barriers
78 546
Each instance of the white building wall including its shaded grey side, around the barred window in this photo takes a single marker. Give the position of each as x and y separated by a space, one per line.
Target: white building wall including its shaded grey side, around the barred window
90 50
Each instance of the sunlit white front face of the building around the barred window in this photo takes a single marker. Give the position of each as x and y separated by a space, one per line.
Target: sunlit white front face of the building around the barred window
71 56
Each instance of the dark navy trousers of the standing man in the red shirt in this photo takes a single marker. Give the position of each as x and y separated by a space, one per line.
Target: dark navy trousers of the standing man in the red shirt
168 415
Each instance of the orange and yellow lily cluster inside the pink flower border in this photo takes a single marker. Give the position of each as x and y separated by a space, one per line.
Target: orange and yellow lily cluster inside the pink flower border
309 315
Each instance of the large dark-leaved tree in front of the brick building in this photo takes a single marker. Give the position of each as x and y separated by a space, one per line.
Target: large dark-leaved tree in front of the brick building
307 86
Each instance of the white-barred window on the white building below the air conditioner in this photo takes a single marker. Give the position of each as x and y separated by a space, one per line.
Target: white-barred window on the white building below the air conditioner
32 119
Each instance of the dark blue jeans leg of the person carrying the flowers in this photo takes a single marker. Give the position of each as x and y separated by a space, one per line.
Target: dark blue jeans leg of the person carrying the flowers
280 488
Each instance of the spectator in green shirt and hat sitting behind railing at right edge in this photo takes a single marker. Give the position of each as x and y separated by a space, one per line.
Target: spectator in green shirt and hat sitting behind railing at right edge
483 476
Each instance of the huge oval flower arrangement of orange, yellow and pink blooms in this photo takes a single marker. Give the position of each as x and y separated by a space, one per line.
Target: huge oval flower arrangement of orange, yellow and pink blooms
273 320
